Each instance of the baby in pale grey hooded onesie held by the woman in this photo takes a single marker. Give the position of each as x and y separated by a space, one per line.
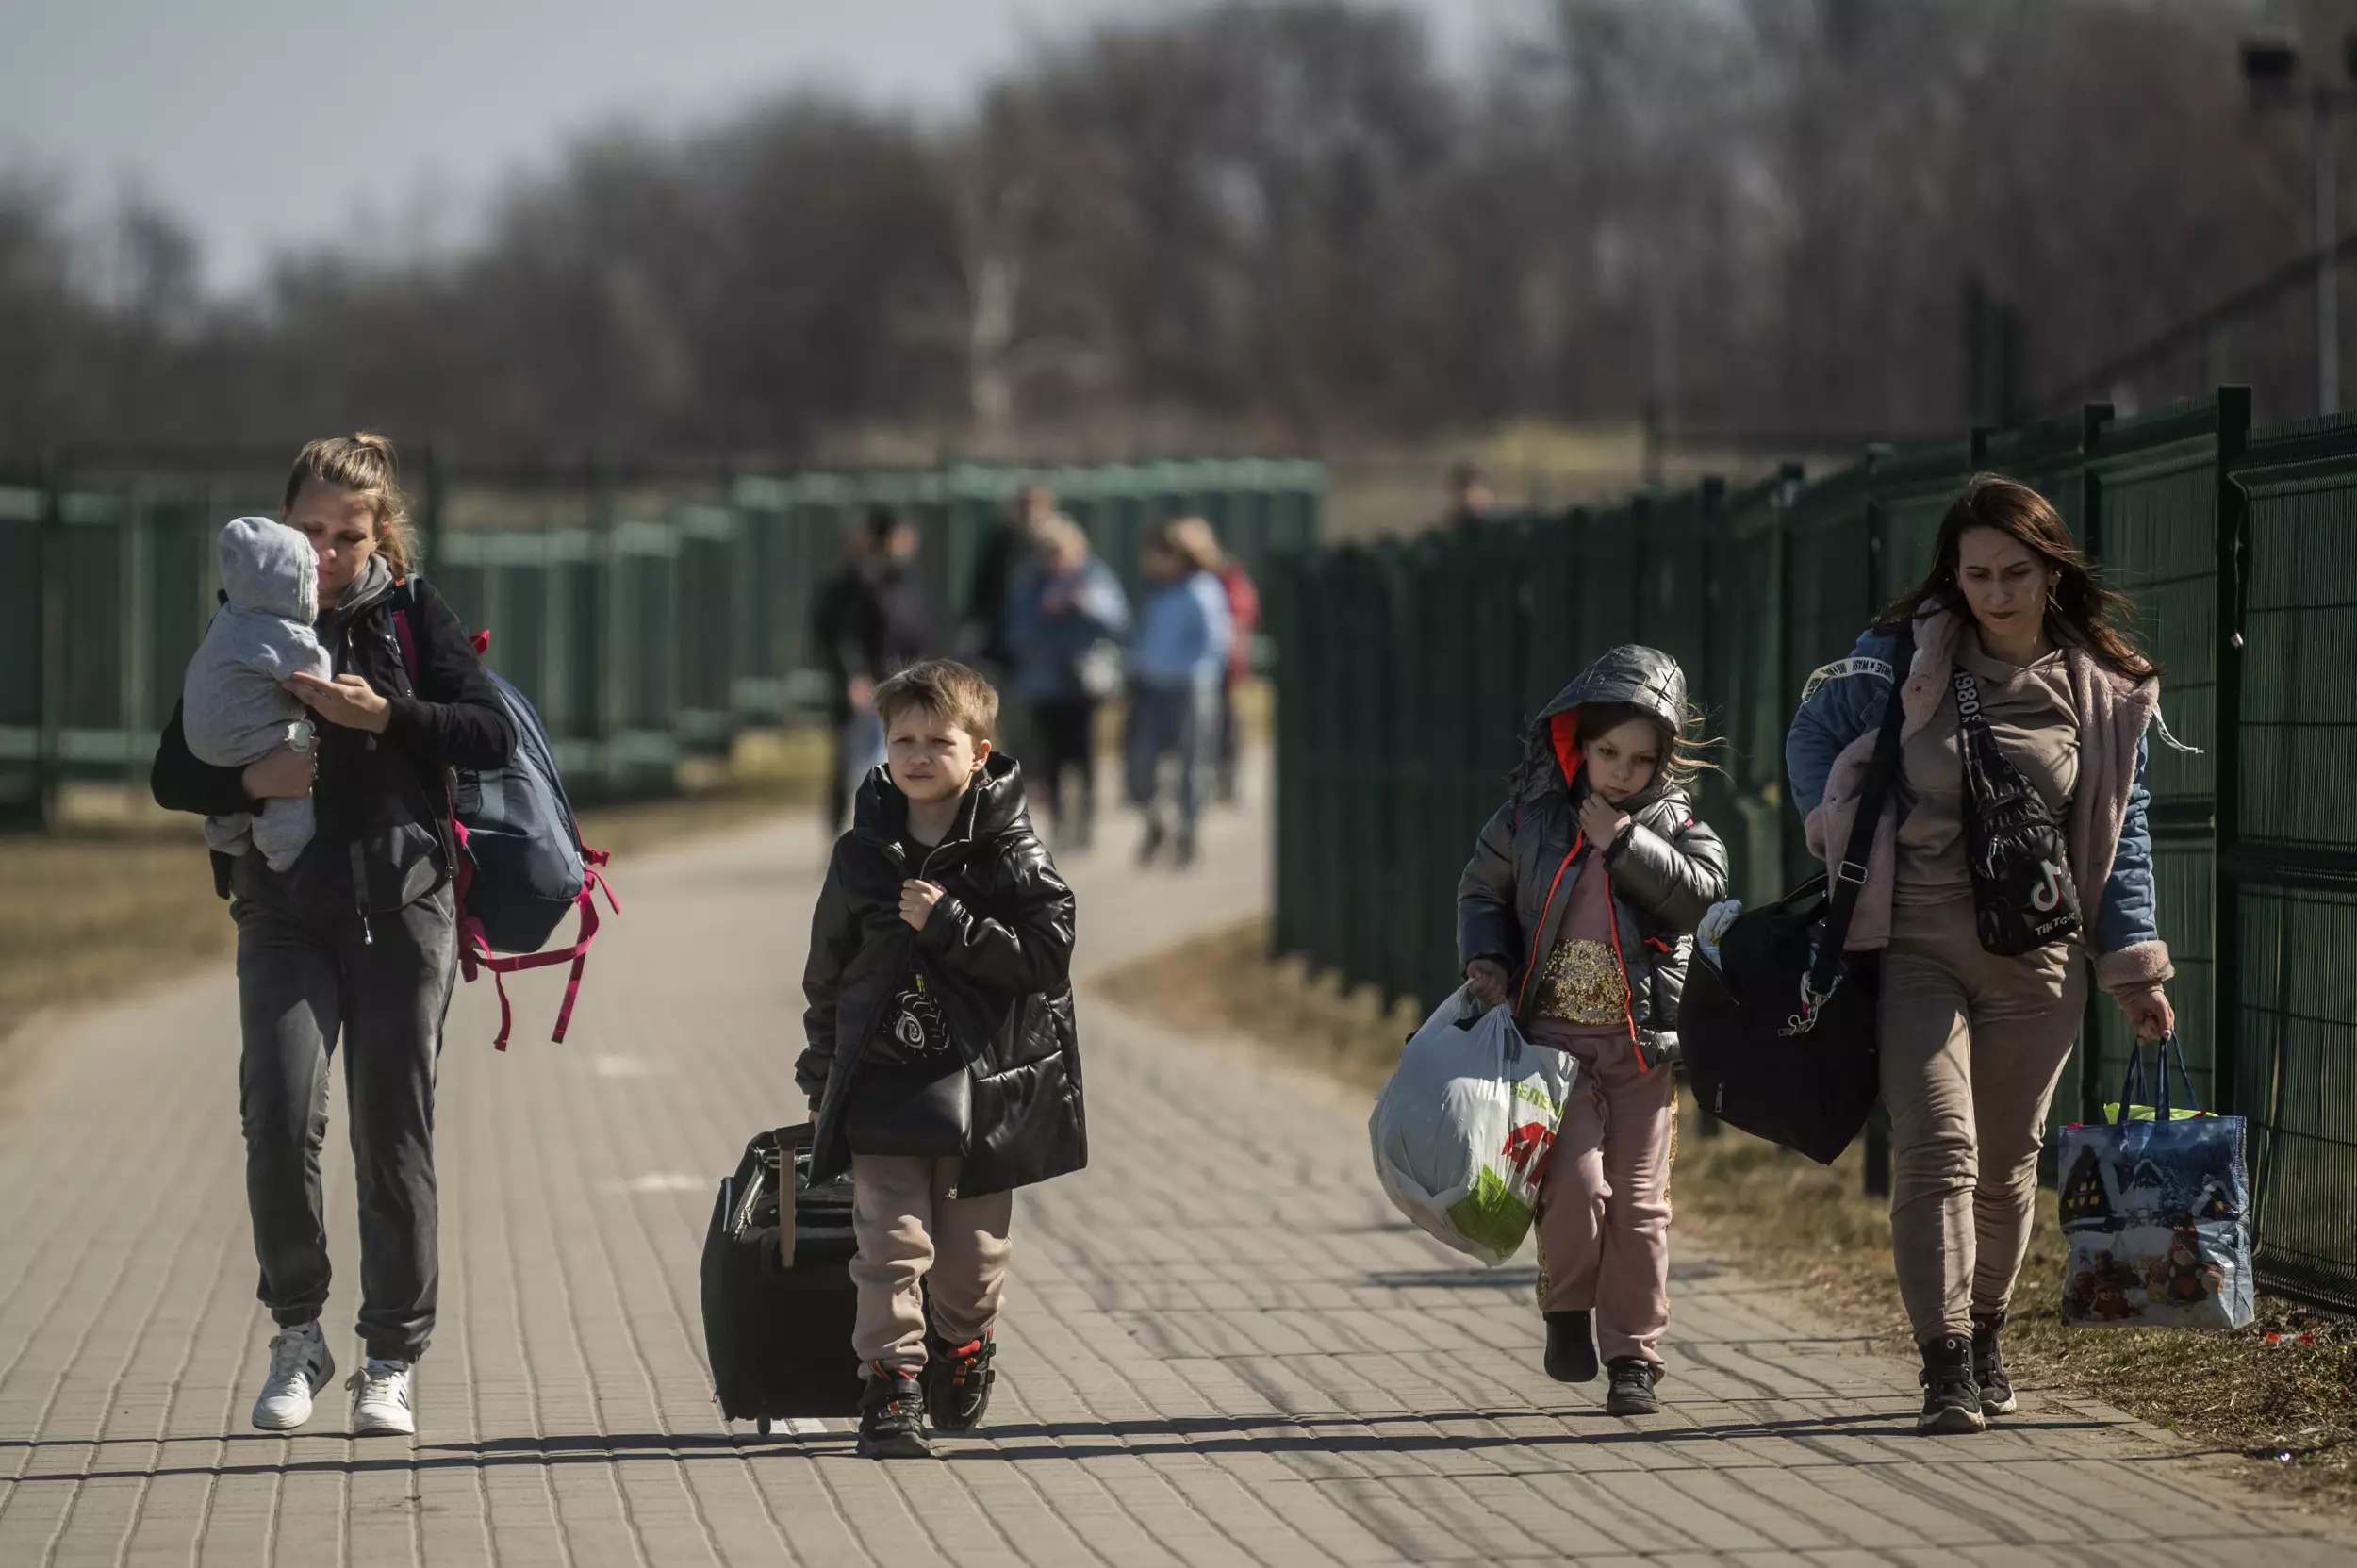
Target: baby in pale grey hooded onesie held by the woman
235 706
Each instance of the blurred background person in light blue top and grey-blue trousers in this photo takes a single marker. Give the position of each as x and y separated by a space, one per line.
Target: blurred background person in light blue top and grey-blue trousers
1177 668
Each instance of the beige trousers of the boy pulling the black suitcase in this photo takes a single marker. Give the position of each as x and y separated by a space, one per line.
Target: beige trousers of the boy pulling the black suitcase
918 1241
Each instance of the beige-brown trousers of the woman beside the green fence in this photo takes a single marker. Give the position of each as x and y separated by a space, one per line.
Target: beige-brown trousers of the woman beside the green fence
1972 1053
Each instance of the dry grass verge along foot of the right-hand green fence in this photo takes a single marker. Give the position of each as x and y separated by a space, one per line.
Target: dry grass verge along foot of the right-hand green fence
2280 1397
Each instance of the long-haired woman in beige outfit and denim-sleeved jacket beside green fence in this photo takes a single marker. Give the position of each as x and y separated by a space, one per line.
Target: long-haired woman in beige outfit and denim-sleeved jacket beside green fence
2014 843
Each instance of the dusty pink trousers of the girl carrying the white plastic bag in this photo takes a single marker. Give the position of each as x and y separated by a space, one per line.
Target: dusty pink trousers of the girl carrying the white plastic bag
1604 1204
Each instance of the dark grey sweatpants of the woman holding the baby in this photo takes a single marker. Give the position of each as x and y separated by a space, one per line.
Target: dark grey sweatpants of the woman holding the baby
308 987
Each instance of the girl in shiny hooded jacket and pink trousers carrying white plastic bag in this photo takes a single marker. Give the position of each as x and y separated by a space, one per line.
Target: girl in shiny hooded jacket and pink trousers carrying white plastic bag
1578 911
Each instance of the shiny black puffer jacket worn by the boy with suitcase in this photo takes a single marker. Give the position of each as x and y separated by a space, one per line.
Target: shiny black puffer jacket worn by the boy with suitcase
998 954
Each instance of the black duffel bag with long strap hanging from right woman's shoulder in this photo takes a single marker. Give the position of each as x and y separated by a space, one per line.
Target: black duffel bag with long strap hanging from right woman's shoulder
1781 1034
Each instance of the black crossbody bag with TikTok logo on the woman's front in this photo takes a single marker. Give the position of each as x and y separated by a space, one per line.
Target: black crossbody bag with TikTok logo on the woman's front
2023 892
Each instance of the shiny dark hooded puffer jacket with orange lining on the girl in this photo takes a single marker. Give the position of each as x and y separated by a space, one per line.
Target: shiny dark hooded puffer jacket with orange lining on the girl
1665 869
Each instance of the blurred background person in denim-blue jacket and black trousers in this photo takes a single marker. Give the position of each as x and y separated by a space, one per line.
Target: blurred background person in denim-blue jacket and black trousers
1064 631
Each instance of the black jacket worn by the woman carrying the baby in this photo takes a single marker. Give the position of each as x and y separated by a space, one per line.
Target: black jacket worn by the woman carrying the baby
383 810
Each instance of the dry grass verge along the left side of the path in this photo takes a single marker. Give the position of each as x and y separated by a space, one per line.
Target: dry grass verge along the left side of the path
124 897
